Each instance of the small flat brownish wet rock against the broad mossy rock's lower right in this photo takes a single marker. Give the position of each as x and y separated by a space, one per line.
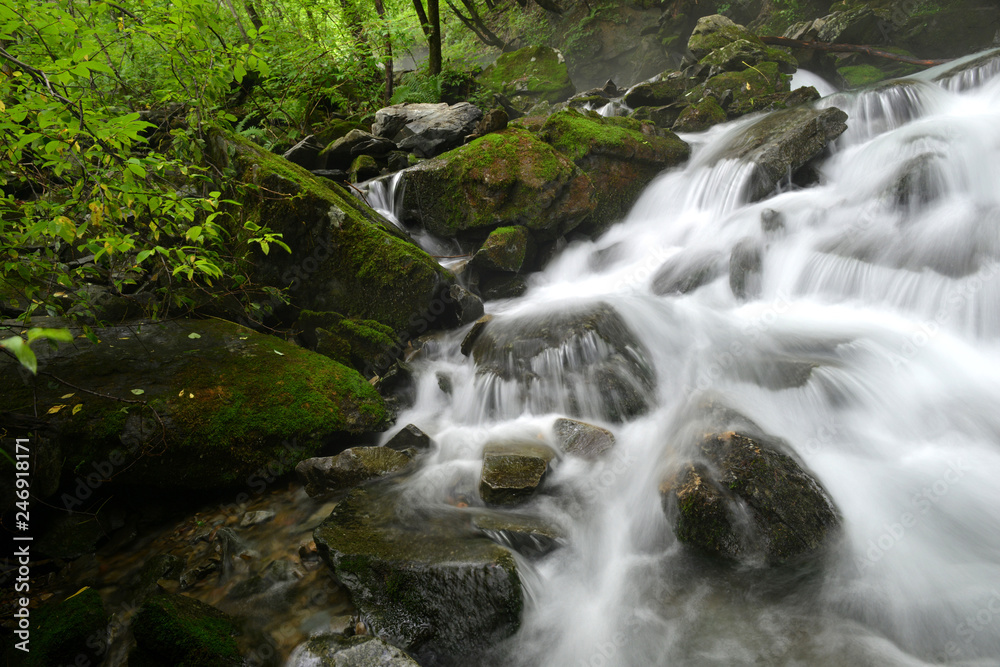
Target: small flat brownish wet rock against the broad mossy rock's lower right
349 468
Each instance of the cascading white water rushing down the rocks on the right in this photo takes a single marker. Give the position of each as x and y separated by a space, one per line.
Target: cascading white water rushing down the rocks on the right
884 279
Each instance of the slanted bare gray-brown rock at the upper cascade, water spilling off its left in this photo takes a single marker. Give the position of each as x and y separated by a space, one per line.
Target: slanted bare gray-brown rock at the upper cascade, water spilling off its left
783 142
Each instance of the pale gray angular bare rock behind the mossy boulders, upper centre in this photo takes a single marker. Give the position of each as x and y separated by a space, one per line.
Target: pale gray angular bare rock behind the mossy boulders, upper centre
427 129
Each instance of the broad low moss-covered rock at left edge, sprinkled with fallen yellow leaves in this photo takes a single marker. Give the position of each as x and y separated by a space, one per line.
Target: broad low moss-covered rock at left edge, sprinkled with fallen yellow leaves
216 421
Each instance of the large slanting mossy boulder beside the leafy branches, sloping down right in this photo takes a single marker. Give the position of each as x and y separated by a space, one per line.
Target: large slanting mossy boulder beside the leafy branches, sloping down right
345 257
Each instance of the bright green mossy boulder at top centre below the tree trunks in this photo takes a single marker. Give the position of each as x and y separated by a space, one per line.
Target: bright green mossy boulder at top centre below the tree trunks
536 72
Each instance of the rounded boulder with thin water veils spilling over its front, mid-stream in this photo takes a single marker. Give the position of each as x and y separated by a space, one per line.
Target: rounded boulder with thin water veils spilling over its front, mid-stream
600 365
